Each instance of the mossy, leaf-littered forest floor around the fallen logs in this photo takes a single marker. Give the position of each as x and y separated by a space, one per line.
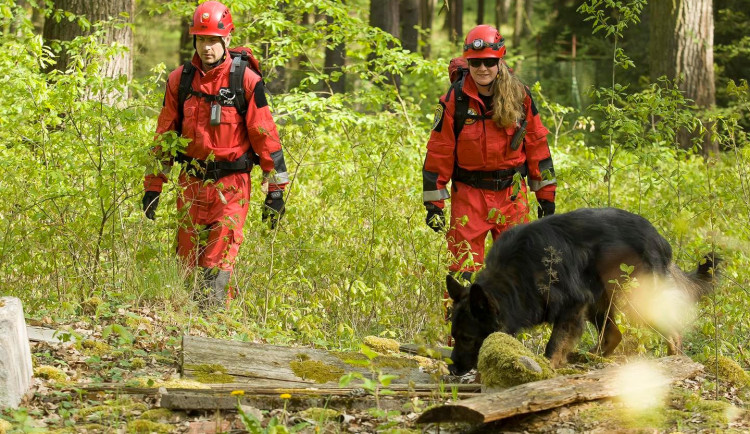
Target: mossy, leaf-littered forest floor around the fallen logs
60 402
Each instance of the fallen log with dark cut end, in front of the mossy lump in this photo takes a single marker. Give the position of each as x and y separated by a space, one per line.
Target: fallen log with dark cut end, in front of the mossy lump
552 393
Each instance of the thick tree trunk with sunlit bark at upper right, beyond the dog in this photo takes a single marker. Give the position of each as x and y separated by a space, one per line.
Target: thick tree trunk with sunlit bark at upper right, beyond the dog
681 46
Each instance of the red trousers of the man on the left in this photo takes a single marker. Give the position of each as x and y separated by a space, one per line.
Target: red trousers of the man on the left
212 217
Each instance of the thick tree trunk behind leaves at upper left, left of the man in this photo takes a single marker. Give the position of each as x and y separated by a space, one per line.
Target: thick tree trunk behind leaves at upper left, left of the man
66 30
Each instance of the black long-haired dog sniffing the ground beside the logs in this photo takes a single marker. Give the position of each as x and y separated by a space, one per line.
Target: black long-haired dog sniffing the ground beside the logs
565 269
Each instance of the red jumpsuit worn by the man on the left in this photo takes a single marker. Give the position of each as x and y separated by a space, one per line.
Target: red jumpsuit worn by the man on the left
212 214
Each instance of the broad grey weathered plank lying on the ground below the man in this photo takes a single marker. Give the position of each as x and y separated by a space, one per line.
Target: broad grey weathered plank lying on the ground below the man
269 365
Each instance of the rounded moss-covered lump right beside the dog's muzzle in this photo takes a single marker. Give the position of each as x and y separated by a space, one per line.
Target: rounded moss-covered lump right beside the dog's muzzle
501 362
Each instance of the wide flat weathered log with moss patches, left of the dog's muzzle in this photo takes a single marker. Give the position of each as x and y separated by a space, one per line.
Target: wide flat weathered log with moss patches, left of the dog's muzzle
223 361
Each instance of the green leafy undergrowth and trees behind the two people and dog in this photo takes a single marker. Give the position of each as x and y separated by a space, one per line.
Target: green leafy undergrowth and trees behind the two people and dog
647 109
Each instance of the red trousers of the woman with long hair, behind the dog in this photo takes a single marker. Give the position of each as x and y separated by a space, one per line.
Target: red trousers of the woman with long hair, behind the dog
476 212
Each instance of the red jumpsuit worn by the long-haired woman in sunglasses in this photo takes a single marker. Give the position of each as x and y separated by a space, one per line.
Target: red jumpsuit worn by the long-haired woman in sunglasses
483 146
